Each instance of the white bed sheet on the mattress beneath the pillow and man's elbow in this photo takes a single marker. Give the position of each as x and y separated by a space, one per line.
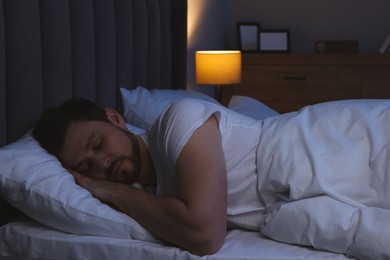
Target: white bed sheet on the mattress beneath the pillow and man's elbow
26 238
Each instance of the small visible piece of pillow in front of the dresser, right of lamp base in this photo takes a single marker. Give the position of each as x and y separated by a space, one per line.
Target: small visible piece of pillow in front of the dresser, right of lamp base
251 107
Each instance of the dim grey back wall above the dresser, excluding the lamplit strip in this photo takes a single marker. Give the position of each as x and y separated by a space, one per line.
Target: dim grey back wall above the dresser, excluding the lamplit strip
308 21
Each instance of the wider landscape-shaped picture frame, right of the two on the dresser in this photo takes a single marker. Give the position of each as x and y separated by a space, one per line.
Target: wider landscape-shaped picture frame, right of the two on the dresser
274 41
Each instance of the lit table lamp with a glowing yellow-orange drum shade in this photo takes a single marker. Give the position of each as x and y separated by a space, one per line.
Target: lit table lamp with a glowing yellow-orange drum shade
218 68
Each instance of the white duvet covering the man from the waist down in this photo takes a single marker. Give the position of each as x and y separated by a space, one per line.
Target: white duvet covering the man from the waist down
324 176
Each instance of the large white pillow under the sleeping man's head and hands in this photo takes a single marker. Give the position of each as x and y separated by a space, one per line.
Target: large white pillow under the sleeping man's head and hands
34 182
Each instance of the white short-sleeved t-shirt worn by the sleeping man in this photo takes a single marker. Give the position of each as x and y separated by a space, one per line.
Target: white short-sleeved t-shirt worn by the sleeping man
166 138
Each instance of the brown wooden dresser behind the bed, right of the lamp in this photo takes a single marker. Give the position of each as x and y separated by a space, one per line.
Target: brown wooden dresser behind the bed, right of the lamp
287 82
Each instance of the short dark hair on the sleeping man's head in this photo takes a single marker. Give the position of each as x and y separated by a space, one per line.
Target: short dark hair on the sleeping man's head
51 128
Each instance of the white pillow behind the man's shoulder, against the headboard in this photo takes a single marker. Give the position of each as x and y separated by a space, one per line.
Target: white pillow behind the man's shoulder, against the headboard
142 106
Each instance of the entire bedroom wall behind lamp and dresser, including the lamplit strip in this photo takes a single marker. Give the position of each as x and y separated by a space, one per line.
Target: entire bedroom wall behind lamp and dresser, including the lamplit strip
212 24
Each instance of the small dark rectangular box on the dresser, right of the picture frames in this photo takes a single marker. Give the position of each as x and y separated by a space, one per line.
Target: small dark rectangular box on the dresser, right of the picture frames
336 46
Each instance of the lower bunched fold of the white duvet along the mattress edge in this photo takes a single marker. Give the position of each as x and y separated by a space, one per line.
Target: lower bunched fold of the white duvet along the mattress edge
328 224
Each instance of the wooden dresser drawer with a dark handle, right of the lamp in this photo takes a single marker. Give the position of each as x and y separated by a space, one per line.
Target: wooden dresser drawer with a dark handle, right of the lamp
302 83
